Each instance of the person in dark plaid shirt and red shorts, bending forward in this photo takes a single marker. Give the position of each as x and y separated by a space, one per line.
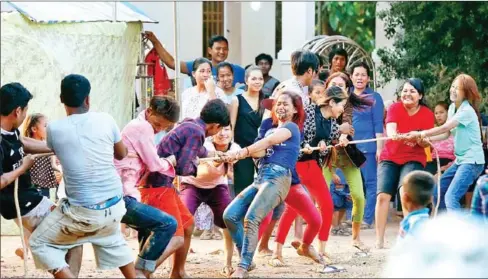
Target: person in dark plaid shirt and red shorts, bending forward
185 142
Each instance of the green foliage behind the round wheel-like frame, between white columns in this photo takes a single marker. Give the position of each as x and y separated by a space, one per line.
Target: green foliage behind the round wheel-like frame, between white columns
355 20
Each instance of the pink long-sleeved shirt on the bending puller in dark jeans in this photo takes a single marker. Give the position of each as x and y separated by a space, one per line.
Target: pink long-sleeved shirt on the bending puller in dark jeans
138 136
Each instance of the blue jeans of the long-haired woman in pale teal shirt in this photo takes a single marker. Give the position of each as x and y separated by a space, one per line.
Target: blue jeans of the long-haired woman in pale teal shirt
455 183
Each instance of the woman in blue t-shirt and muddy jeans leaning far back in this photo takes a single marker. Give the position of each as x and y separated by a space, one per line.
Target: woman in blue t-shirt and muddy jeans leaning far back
273 181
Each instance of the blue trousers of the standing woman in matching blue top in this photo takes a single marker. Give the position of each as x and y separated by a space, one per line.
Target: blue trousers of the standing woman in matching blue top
369 172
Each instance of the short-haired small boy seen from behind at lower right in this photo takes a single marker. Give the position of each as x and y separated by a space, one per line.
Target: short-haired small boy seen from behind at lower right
416 196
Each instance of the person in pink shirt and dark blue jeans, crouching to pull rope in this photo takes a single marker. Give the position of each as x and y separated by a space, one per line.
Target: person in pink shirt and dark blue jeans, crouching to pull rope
155 228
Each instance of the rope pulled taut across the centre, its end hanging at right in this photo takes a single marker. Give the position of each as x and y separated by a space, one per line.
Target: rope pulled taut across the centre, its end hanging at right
399 136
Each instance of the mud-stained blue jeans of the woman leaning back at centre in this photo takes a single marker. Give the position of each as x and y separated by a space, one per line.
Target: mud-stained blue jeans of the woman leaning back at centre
270 187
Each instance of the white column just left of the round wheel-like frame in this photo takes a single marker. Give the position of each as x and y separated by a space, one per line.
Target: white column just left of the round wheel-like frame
298 26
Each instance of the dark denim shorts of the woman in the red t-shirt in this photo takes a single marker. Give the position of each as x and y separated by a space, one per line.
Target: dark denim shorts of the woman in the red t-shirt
390 175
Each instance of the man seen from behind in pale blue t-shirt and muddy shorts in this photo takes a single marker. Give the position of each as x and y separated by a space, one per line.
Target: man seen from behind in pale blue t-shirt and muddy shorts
86 144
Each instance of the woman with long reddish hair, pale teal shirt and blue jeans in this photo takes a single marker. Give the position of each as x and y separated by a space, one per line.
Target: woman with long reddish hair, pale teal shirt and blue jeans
464 123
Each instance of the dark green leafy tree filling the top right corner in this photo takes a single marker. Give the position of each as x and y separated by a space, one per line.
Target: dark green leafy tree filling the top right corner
435 41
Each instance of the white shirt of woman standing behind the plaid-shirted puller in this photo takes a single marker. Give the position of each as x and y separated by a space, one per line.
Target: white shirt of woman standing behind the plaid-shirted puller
194 101
